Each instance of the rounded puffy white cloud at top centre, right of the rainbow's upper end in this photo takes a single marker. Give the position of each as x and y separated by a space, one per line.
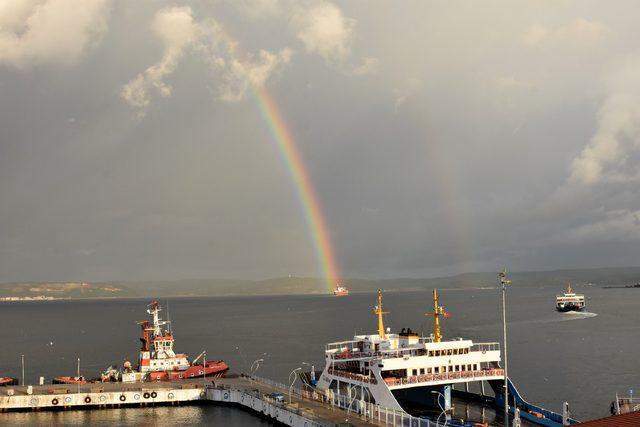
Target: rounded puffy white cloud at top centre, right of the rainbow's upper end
323 29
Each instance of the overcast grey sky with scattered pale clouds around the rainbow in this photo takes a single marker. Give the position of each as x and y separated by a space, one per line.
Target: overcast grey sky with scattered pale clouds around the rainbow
441 137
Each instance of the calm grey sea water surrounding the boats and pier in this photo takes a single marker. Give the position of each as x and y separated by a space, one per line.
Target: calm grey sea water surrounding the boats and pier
553 357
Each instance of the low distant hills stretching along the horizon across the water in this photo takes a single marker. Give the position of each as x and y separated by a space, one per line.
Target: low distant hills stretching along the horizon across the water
309 285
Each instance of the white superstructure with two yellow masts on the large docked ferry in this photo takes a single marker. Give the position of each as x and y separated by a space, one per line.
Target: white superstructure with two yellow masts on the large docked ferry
380 364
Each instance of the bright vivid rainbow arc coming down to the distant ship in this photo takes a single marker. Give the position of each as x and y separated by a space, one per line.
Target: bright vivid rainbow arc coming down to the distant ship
316 224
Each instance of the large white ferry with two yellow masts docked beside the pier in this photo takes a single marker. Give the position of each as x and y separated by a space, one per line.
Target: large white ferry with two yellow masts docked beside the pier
407 371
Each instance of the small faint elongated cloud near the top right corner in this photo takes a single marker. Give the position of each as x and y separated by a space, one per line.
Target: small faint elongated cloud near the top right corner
580 30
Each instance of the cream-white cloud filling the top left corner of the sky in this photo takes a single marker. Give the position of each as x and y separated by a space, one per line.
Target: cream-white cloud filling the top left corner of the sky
34 32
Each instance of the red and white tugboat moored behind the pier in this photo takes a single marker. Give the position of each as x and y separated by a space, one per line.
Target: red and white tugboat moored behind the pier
158 361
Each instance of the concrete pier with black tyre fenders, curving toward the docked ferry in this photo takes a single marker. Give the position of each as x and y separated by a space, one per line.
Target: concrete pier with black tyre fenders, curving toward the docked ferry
262 397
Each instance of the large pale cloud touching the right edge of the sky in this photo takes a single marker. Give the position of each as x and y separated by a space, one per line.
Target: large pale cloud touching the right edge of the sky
607 156
